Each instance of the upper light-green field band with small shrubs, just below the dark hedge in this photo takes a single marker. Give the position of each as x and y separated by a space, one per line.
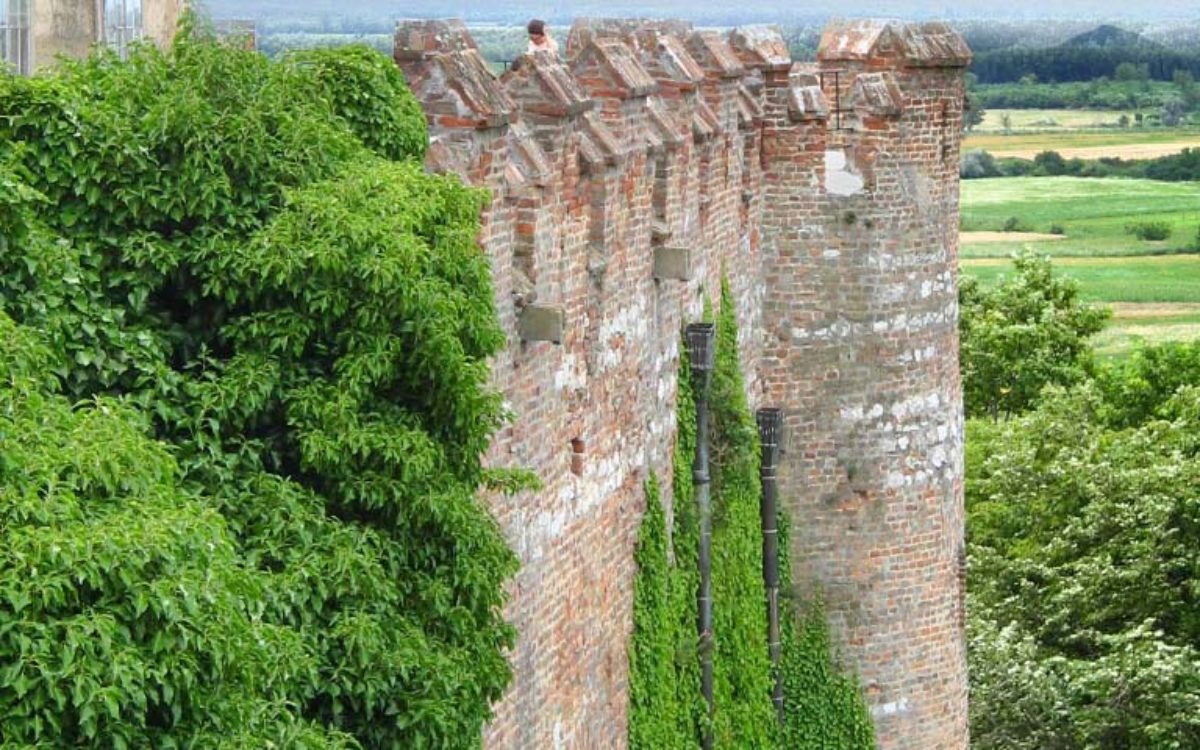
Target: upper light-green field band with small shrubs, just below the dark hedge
1093 213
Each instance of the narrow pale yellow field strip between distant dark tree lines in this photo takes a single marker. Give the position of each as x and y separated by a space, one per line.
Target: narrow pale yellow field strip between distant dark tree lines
1085 145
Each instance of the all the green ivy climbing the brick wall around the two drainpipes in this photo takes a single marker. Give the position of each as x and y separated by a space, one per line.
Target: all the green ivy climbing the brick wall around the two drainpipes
825 711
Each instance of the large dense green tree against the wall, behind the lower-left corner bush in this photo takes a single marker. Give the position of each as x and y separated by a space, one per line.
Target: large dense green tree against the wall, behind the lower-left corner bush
226 247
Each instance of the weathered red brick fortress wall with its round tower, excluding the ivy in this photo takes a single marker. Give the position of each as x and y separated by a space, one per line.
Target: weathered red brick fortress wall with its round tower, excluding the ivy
625 179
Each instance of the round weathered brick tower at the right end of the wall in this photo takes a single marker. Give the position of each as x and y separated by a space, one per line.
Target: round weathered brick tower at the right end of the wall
861 245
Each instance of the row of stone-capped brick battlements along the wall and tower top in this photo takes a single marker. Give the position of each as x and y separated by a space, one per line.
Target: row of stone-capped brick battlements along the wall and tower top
680 71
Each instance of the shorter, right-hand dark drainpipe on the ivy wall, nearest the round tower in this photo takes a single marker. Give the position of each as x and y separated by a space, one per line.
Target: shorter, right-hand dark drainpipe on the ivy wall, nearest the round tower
770 427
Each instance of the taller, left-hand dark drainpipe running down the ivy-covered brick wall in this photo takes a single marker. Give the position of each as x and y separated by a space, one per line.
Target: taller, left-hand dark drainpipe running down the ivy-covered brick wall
701 350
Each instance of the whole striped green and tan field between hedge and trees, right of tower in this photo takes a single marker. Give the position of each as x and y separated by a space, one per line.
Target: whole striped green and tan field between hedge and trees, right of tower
1153 287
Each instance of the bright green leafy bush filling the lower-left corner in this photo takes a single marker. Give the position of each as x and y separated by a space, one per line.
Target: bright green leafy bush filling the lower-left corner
128 616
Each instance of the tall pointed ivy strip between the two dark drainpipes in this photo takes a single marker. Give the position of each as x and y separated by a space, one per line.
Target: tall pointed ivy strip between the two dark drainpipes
745 716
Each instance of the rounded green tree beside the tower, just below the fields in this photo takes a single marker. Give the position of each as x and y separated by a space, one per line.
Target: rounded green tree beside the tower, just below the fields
1022 335
